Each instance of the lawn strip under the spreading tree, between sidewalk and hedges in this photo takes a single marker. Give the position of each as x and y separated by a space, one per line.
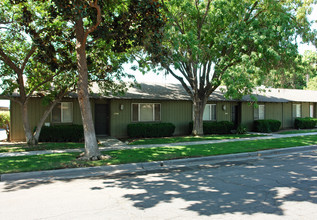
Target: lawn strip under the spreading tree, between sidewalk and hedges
169 140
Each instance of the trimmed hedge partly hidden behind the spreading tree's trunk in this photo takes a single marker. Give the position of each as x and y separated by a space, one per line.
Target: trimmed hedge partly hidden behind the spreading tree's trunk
215 127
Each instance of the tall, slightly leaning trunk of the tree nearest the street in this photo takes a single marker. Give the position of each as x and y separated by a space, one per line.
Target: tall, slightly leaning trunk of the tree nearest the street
91 146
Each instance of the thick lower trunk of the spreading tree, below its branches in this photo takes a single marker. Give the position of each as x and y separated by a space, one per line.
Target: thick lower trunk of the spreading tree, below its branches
199 107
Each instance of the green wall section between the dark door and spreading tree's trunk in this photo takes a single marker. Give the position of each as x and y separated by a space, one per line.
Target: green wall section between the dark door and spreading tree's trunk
177 112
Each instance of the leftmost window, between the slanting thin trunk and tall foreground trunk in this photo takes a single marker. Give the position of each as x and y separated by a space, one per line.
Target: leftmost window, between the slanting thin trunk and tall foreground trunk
63 113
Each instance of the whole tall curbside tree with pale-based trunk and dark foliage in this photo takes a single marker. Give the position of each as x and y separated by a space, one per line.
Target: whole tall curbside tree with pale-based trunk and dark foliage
100 27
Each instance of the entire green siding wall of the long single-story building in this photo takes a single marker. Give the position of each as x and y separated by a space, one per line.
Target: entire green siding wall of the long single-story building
179 113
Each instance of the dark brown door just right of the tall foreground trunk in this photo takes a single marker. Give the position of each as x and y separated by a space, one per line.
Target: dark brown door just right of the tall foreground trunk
102 119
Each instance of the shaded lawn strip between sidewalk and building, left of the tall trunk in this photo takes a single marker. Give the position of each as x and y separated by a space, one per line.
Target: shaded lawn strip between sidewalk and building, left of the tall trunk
10 148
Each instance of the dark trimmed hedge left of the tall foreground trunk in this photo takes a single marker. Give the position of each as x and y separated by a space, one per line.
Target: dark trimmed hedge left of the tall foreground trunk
62 133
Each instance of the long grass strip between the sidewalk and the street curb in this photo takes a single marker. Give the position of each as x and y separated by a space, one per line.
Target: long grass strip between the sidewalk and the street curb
68 160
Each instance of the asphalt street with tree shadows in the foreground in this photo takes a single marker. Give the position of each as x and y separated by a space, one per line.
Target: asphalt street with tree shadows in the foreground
272 187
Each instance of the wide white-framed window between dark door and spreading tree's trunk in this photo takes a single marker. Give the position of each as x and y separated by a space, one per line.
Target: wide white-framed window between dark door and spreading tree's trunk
146 112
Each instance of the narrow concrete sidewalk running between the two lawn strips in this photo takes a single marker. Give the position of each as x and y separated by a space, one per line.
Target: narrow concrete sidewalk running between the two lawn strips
114 144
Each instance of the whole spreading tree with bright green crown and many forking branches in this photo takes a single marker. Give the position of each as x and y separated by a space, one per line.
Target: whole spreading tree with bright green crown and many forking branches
208 43
